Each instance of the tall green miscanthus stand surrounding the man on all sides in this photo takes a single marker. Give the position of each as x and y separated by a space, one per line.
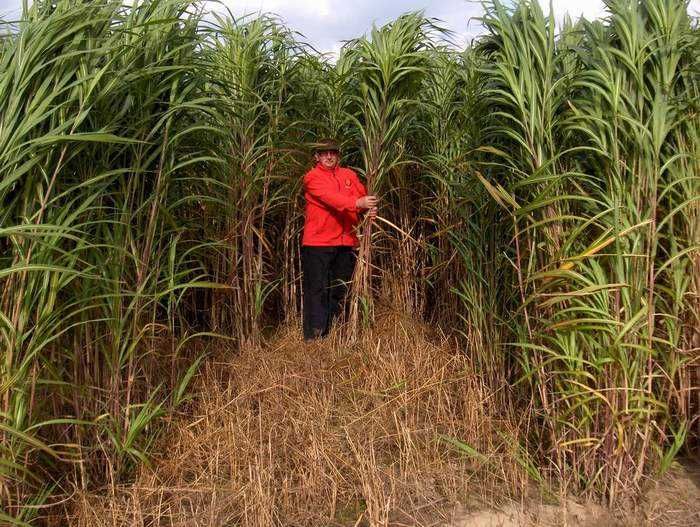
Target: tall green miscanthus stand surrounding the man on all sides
540 204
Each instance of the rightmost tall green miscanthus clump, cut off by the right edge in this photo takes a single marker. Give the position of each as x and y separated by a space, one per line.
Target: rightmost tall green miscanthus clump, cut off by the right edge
632 110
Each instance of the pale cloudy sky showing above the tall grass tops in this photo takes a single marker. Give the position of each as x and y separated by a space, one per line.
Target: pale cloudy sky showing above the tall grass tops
326 23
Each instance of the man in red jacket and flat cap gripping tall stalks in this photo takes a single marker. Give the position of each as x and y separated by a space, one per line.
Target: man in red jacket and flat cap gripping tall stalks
335 198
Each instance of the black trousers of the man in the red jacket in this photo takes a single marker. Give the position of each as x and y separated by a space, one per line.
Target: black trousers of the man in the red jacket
327 275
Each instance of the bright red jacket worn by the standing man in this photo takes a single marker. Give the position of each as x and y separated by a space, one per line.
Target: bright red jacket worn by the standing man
330 213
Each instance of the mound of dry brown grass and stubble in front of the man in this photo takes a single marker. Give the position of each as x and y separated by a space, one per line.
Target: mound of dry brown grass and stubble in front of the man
321 434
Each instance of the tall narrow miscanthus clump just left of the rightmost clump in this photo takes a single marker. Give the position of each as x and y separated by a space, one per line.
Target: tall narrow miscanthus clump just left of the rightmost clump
525 98
